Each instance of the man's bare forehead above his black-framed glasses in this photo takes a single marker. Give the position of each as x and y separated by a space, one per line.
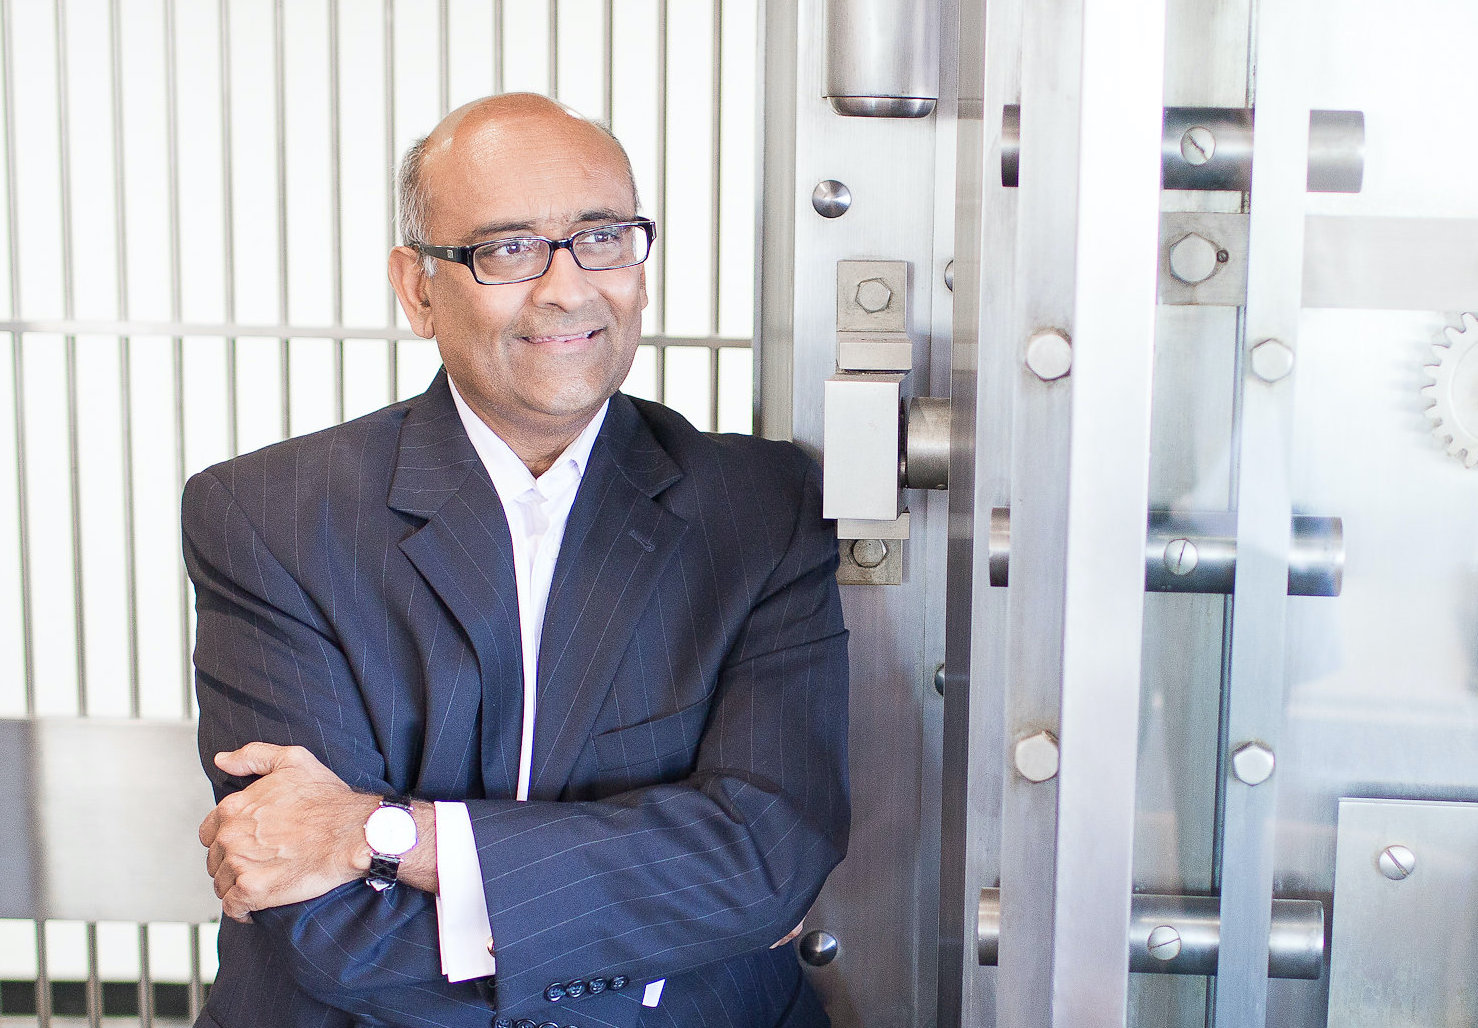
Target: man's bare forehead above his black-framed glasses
542 174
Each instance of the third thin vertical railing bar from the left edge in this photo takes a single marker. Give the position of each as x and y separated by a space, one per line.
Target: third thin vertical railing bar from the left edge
131 556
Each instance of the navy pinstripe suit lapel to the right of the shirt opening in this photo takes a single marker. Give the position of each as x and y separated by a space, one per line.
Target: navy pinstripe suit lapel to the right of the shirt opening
617 544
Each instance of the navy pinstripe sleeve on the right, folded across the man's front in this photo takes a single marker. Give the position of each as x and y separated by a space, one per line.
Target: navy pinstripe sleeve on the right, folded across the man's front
669 878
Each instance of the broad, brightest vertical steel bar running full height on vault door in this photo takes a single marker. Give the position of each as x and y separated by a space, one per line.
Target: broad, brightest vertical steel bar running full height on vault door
1108 491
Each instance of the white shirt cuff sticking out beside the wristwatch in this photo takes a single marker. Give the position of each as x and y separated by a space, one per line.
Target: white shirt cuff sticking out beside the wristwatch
462 908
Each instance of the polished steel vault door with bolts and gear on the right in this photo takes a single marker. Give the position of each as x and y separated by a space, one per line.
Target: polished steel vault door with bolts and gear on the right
1213 581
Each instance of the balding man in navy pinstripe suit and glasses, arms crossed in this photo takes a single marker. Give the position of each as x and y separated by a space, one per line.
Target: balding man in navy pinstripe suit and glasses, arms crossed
621 772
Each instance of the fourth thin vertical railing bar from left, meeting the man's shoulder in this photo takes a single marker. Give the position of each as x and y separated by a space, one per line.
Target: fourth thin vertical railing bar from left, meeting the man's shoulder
177 342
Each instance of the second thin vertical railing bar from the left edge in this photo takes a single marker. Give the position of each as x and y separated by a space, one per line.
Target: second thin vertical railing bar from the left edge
70 343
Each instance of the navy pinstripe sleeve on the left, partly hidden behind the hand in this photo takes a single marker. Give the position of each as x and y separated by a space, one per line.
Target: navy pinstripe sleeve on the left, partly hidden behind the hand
270 668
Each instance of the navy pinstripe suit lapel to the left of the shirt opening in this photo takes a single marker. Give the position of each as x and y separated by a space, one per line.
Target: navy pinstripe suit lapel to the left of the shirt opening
466 556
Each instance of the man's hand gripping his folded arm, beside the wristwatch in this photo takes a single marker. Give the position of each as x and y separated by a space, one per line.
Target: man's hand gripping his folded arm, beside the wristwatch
292 835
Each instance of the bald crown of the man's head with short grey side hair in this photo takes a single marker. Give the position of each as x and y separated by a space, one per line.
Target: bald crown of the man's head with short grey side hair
480 131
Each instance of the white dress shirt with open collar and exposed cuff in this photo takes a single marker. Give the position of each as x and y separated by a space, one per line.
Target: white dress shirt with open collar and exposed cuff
537 512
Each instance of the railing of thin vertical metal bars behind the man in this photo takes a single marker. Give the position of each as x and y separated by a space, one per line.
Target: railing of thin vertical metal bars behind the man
196 54
